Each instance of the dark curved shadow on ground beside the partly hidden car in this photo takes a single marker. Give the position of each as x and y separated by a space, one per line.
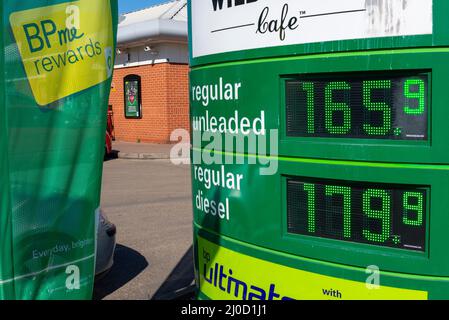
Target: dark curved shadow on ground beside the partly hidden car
128 264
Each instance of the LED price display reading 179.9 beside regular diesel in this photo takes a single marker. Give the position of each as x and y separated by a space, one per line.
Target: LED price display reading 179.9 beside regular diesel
384 215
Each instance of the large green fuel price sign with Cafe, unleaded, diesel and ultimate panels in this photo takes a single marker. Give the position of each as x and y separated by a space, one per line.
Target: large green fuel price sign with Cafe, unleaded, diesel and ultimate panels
320 151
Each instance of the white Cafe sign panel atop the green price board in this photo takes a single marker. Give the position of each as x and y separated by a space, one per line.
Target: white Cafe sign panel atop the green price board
227 26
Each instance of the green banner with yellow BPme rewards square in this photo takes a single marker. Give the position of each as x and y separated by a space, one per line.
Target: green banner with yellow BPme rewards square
56 73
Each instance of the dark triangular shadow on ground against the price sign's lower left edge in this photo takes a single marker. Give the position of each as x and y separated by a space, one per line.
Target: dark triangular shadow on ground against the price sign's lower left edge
179 284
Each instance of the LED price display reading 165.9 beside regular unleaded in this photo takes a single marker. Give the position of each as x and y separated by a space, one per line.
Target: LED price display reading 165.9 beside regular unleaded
358 106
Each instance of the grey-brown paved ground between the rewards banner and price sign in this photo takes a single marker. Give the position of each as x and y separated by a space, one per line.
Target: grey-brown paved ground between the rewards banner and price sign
150 203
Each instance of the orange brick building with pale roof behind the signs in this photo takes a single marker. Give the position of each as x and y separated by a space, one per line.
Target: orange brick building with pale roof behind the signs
149 94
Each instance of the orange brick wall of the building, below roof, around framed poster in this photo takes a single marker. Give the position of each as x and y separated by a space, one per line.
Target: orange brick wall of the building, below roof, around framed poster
165 103
